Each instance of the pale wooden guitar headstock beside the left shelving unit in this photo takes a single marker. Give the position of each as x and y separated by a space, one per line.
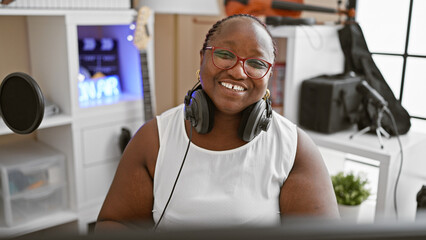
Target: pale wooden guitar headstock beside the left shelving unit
141 36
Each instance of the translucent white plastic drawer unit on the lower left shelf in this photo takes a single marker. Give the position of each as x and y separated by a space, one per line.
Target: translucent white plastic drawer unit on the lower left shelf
33 182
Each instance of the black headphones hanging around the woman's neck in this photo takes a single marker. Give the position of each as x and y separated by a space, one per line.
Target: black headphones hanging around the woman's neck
199 110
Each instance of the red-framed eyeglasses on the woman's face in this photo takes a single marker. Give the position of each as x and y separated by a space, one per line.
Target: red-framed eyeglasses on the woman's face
225 59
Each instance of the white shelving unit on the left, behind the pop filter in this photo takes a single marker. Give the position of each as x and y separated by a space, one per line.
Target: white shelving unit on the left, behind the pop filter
87 136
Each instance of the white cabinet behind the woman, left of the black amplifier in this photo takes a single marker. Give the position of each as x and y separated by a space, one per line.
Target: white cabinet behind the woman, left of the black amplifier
310 51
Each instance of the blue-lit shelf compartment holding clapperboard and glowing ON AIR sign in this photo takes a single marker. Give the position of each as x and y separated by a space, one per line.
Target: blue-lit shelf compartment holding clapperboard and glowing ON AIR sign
109 65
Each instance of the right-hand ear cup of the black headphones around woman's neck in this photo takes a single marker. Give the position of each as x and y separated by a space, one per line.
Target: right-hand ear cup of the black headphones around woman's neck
253 121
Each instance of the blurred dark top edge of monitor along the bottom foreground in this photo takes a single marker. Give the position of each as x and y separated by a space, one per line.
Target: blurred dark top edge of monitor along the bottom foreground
299 229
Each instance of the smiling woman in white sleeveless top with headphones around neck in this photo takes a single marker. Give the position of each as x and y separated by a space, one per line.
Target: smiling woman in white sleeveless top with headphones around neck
224 158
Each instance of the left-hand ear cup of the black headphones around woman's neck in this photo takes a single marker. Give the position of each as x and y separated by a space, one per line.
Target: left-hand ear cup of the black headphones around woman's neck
200 111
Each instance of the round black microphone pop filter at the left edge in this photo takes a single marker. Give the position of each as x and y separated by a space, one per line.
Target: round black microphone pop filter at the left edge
21 103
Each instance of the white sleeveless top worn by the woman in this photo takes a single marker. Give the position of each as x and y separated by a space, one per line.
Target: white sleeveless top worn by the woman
232 188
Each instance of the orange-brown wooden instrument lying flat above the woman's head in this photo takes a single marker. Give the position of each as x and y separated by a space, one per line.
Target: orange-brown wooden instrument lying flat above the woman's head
260 8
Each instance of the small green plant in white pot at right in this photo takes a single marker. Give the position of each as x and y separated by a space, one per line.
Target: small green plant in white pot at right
351 191
